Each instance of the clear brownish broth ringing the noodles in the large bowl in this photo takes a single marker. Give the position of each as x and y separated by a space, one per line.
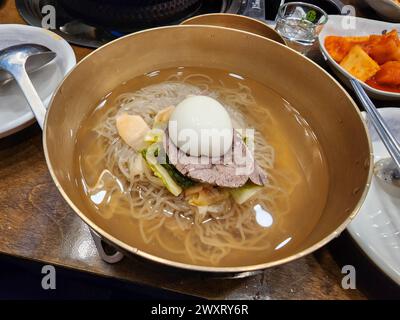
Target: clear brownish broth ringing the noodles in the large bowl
297 150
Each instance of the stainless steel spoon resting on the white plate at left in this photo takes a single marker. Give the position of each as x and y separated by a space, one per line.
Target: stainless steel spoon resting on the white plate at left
15 60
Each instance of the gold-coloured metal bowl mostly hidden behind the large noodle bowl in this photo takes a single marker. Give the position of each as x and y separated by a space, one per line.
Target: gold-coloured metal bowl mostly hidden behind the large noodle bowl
237 22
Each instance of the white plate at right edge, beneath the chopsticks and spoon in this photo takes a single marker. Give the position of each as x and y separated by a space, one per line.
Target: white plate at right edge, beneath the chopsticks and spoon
376 228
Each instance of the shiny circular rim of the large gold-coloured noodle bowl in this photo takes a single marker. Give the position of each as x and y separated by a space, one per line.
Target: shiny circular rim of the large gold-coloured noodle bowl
189 266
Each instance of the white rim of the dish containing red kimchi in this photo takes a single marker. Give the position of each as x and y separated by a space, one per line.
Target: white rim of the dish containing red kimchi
328 57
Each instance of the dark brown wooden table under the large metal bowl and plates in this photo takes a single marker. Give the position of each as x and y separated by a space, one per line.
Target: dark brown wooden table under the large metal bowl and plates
37 224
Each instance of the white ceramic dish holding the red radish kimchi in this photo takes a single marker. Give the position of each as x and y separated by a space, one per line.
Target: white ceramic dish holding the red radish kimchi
340 26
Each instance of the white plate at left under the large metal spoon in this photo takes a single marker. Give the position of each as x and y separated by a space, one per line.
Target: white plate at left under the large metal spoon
15 113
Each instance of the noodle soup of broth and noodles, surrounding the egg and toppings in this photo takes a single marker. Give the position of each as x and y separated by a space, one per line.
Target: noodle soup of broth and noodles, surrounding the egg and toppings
124 198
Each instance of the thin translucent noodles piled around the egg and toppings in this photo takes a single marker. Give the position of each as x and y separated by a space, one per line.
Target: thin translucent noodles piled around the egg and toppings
156 211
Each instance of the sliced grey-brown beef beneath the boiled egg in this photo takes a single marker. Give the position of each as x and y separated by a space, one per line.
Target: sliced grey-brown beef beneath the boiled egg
232 170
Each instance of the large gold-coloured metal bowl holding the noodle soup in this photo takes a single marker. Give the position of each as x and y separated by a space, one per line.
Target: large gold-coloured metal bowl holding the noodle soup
325 105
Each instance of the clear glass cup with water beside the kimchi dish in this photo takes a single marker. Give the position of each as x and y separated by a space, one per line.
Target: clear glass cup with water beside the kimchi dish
299 24
